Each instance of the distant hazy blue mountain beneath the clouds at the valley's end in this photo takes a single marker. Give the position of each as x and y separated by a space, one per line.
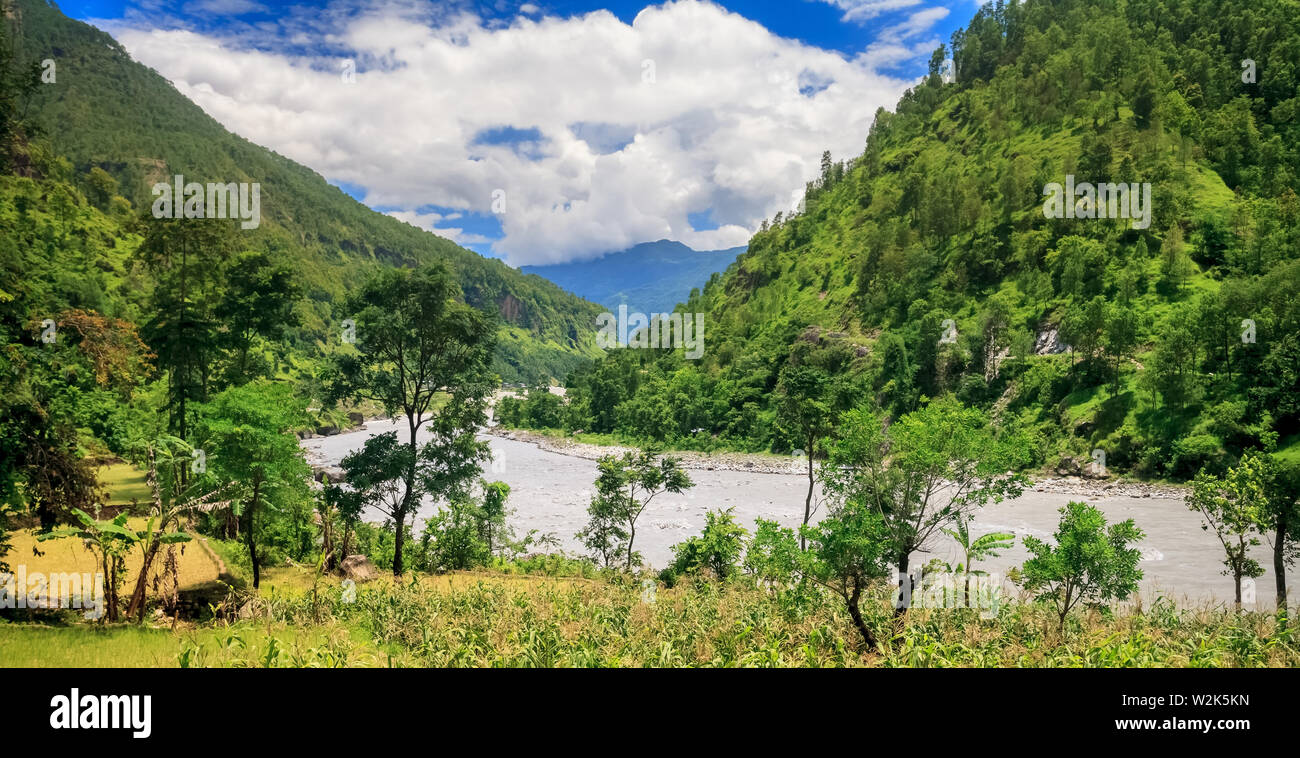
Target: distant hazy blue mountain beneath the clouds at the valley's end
651 278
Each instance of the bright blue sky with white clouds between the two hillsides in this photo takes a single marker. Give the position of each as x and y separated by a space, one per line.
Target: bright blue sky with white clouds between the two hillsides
686 120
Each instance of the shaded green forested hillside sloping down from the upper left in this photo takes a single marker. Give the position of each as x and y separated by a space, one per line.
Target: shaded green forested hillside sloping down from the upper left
109 112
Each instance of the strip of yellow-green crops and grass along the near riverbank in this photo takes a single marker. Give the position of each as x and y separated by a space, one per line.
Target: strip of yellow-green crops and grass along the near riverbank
509 621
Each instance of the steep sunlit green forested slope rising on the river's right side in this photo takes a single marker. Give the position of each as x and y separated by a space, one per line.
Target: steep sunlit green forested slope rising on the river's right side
1169 345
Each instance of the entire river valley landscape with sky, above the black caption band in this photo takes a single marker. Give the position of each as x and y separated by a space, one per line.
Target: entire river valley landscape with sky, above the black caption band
1032 333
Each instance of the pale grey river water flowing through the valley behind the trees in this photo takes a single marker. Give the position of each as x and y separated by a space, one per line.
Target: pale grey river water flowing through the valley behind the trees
551 493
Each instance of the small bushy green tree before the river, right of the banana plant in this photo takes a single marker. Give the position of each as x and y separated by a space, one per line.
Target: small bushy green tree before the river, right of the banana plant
1091 562
